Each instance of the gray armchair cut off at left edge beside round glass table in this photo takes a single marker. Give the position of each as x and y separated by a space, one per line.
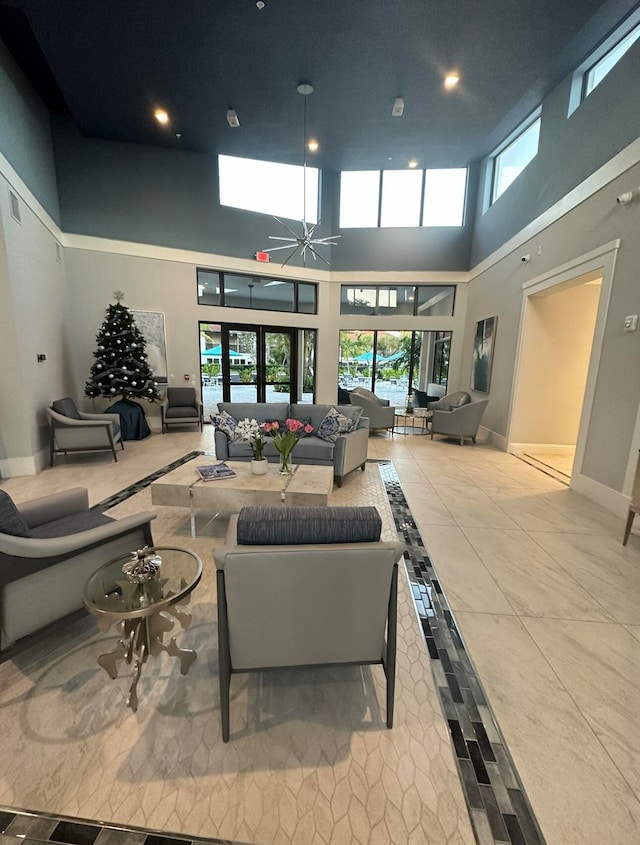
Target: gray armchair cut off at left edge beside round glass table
48 548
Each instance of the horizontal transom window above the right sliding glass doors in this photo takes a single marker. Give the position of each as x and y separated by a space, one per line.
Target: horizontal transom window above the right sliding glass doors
412 300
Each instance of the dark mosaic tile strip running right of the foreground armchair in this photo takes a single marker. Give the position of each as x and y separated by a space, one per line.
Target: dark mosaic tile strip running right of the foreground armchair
495 797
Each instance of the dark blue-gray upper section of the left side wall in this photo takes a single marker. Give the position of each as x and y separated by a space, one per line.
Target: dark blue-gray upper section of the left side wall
25 135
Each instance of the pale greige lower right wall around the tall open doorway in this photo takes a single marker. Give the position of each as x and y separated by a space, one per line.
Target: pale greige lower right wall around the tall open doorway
498 291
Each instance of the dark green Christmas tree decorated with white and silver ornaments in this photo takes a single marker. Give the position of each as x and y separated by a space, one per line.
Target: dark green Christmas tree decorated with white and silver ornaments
121 367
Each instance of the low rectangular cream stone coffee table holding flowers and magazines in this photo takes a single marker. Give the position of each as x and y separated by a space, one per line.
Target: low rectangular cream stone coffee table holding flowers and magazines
183 488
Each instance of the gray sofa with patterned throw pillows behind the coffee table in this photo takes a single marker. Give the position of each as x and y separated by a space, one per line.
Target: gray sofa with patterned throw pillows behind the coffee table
347 453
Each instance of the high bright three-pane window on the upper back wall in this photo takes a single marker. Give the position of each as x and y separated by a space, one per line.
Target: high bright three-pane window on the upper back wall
402 197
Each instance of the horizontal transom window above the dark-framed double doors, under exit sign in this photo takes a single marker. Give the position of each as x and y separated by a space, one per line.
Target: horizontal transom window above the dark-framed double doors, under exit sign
233 290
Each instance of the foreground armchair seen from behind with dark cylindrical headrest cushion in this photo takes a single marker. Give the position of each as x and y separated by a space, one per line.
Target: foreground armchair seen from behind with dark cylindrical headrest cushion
300 587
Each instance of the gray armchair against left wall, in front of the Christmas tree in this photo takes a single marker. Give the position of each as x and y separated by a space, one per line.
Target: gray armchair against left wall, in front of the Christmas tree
75 431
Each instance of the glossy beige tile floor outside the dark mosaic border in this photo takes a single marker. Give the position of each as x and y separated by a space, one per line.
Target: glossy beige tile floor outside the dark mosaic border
544 594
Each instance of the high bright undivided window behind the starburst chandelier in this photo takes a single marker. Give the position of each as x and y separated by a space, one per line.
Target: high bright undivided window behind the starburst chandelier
284 190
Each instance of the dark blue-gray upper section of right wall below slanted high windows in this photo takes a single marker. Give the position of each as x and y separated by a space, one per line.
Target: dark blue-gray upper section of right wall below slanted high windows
570 149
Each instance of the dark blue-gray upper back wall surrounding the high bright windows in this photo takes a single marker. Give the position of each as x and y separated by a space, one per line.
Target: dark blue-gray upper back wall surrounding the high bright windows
170 198
